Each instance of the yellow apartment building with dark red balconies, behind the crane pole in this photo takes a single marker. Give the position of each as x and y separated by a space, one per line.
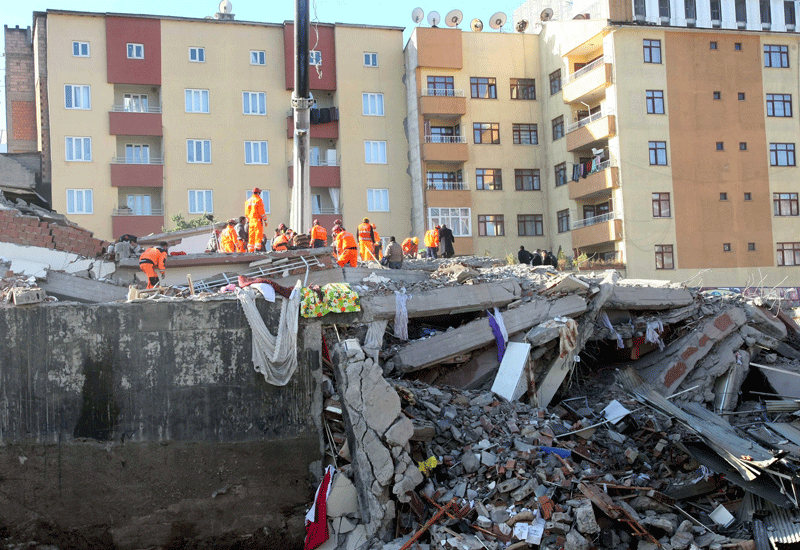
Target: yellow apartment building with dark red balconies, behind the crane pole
140 118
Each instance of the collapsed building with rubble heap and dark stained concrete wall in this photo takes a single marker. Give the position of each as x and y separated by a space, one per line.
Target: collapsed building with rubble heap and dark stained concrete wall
455 403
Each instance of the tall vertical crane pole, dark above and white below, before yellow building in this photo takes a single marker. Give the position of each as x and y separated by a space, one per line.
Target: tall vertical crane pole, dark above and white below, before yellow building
300 214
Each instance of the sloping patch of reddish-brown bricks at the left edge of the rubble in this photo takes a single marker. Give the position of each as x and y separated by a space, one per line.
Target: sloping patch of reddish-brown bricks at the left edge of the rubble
30 231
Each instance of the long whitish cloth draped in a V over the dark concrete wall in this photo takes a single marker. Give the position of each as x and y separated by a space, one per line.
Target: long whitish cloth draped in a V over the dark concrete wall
273 356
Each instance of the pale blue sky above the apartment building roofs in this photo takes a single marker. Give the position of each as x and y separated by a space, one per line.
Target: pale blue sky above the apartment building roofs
393 13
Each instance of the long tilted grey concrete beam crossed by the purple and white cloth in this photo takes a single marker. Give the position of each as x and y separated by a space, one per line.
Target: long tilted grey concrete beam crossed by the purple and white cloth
476 334
